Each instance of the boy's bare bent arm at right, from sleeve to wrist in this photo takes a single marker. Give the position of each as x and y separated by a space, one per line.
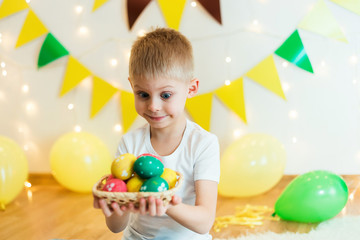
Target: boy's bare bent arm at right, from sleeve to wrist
201 217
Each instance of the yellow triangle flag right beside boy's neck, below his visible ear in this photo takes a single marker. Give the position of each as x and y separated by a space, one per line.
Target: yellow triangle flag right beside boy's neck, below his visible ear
199 108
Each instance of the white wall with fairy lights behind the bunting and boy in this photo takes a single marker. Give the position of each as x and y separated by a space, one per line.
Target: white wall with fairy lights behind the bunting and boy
327 102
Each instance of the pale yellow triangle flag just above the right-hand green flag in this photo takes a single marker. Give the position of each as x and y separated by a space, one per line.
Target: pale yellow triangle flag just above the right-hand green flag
320 20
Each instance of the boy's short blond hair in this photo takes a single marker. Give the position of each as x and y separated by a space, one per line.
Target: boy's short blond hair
162 52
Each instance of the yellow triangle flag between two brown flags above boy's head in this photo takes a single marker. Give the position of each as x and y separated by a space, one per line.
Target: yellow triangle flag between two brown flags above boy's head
172 11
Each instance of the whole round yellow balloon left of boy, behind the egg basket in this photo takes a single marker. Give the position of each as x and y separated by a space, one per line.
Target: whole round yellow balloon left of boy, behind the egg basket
79 160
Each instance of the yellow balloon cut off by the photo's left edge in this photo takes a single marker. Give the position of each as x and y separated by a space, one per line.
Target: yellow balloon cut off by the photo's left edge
13 170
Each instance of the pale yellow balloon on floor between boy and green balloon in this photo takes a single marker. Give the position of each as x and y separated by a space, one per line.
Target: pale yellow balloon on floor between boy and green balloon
251 165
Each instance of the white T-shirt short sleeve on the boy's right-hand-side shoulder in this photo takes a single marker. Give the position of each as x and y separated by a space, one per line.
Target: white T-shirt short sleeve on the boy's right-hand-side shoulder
207 163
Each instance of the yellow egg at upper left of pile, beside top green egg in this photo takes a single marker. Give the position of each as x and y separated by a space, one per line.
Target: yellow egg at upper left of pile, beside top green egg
122 166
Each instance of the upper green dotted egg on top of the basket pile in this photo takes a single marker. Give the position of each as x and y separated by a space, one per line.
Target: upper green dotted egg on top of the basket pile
148 166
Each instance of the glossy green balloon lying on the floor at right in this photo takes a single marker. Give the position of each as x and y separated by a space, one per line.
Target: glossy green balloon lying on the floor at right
312 197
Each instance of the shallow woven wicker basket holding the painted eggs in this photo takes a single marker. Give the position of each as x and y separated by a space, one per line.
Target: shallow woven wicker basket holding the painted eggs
124 198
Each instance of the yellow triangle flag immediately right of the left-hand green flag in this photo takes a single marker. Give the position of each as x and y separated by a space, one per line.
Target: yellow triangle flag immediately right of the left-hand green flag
75 73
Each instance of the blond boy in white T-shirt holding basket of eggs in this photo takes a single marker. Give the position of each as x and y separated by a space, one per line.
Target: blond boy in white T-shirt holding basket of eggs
161 76
